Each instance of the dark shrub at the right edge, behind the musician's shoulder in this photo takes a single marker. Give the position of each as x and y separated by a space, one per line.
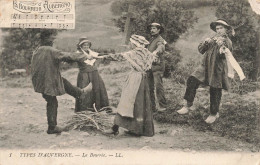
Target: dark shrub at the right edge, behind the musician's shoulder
238 13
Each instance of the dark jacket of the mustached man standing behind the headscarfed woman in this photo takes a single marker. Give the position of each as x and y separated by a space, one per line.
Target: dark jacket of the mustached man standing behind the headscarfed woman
157 43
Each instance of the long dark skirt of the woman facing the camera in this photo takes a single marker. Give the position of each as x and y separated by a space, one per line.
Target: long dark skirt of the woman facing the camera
98 94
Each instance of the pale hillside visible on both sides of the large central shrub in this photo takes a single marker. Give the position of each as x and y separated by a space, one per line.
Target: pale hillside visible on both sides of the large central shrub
94 20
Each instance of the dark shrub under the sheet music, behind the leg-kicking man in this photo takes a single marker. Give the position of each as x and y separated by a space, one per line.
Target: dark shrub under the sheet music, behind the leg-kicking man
17 54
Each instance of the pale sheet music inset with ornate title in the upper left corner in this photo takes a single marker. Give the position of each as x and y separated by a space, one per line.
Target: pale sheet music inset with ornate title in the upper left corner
50 14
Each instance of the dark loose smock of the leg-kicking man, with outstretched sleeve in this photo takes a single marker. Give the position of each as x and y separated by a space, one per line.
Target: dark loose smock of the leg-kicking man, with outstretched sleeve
46 77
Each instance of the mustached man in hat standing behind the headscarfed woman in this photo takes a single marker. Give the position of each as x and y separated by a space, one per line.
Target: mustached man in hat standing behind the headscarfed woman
157 47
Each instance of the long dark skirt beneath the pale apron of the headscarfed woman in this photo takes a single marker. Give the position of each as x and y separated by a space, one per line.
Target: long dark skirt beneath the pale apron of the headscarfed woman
142 123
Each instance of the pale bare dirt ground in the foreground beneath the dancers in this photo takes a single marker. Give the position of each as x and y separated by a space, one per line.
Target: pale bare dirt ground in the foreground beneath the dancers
23 125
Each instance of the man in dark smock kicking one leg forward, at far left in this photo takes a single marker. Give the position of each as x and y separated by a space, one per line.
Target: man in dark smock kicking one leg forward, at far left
47 80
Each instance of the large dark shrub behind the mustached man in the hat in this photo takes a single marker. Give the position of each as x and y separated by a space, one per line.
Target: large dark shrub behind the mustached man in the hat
175 19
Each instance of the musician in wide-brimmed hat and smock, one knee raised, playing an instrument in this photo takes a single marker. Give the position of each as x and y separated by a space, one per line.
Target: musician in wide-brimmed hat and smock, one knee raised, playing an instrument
213 72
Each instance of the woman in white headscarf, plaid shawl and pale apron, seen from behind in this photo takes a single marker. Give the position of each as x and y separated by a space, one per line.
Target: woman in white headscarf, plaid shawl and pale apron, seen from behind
134 111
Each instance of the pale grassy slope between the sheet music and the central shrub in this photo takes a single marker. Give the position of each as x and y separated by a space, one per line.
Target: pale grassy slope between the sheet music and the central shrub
93 20
